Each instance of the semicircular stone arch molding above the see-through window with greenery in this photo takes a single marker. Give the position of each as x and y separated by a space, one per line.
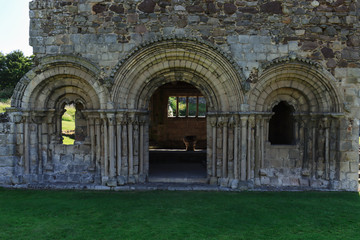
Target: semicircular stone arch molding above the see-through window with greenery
59 75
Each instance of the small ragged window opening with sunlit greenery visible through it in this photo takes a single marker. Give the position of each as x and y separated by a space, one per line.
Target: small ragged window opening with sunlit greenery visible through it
73 124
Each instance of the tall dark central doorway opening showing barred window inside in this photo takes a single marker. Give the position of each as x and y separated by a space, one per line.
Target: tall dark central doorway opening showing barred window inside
177 134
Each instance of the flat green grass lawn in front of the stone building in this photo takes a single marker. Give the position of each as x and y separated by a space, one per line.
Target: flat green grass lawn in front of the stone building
28 214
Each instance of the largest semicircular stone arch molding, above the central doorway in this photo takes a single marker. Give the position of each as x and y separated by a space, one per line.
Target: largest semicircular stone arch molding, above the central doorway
186 60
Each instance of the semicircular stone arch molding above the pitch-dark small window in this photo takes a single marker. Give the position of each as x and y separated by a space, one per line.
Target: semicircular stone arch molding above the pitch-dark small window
303 84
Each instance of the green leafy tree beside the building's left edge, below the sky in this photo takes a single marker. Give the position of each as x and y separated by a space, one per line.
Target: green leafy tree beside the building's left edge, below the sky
12 67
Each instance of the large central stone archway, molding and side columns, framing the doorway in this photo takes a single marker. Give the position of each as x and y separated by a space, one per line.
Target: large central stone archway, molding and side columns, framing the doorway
191 61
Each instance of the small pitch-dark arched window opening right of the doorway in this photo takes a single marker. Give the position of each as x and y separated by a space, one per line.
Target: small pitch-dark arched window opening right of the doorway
281 125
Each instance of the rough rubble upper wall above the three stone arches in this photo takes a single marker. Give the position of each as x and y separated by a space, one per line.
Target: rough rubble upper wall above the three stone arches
251 31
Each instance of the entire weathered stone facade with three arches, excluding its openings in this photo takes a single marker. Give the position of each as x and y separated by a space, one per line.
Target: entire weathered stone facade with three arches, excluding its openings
244 57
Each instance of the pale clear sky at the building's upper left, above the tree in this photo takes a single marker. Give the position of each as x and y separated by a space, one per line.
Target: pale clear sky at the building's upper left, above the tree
14 26
